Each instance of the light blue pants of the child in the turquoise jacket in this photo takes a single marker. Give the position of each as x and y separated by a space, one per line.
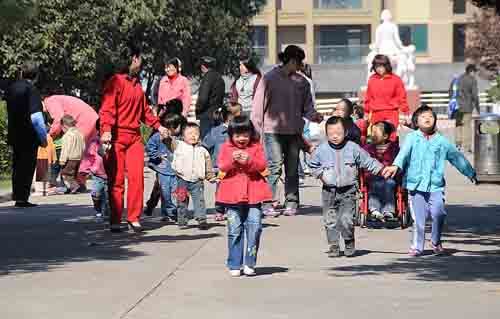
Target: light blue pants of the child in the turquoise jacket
423 205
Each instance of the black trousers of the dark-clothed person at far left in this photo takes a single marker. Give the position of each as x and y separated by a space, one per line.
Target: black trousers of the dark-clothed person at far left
23 169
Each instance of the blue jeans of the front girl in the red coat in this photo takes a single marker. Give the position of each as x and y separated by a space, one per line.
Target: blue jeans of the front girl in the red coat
243 222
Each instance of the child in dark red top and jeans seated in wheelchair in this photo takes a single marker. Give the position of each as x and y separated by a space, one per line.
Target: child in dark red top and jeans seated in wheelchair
381 202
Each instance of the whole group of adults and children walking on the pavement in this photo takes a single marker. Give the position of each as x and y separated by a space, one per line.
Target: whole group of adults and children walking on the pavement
242 147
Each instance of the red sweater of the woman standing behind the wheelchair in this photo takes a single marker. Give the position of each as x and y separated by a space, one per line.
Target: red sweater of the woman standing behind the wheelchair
386 93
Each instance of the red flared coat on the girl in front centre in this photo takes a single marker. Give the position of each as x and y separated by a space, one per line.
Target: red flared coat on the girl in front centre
243 184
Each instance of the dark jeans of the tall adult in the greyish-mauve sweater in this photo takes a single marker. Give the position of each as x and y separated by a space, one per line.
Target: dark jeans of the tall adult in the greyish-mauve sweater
284 150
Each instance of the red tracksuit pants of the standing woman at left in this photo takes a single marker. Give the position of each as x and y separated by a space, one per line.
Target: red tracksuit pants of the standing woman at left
126 157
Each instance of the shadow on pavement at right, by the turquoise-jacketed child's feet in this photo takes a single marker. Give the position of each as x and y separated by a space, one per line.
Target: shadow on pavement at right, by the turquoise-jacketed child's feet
473 238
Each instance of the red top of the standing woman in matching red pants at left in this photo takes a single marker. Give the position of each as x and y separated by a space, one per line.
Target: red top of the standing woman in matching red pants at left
124 106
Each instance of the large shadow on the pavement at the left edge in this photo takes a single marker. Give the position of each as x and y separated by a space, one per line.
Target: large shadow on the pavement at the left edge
49 236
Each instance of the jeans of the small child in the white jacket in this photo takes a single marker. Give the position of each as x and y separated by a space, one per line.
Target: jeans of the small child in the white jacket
196 191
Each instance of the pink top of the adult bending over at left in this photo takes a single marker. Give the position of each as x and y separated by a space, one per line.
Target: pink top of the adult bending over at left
85 116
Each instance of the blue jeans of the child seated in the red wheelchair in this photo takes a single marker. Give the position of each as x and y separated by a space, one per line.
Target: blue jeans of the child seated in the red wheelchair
382 195
